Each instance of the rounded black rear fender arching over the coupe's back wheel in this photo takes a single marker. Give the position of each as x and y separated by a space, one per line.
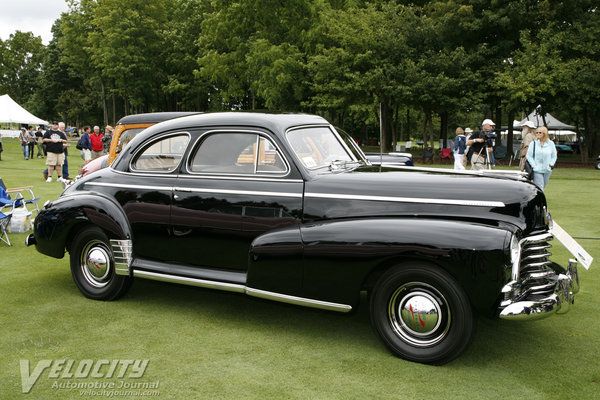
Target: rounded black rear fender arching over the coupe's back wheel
54 225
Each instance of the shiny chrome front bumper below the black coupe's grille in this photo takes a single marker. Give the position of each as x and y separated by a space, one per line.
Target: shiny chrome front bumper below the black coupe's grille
529 304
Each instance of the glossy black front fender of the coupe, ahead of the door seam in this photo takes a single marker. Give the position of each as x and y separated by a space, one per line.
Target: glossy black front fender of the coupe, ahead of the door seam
340 256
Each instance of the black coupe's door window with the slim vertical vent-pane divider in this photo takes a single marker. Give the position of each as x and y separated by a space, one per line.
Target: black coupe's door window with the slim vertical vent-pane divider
237 153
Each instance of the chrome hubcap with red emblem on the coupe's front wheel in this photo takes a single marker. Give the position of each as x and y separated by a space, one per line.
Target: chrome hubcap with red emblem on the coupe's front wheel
419 314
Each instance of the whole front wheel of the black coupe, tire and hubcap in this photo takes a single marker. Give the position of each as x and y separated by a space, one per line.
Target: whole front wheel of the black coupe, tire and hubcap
422 314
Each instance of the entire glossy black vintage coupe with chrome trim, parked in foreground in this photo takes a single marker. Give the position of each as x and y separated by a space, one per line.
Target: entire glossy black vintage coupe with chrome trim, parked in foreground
283 207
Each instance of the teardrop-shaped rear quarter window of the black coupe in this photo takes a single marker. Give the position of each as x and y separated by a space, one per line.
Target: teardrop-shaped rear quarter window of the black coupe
162 156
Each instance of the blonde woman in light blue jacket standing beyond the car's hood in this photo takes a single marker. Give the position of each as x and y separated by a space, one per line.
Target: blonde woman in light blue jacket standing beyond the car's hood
542 157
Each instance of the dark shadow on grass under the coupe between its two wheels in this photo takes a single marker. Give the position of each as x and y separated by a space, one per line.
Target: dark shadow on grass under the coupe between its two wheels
236 309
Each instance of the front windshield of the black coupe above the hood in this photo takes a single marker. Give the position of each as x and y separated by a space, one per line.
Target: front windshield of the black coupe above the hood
318 147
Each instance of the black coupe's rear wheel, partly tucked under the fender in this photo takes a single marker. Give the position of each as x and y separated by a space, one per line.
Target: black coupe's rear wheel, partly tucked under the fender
96 280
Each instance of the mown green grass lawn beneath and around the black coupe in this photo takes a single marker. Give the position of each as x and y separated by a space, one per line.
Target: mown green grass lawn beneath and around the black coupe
202 343
